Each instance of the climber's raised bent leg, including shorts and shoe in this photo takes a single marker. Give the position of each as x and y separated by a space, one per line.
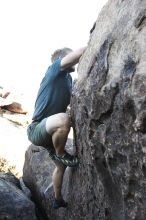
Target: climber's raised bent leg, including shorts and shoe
52 133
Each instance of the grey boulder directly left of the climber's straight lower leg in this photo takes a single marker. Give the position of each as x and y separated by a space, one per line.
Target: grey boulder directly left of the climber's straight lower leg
37 175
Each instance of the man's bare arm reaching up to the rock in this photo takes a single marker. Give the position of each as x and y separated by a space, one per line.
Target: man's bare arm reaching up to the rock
72 58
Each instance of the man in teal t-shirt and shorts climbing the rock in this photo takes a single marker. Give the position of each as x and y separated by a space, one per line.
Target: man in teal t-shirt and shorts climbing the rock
50 123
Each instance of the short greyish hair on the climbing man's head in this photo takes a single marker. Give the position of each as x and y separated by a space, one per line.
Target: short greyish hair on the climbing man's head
60 53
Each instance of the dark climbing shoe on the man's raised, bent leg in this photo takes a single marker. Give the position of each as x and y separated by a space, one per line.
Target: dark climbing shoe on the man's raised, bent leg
68 160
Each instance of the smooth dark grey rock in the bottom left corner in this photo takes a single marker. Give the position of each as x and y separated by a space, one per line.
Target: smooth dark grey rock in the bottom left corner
14 205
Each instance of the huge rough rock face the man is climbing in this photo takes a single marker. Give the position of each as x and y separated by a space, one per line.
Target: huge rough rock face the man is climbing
109 113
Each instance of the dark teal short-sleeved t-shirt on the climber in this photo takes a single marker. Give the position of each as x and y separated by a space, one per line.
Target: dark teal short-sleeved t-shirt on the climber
54 93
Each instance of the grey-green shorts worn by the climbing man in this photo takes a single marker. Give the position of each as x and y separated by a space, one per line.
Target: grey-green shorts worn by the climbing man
38 135
